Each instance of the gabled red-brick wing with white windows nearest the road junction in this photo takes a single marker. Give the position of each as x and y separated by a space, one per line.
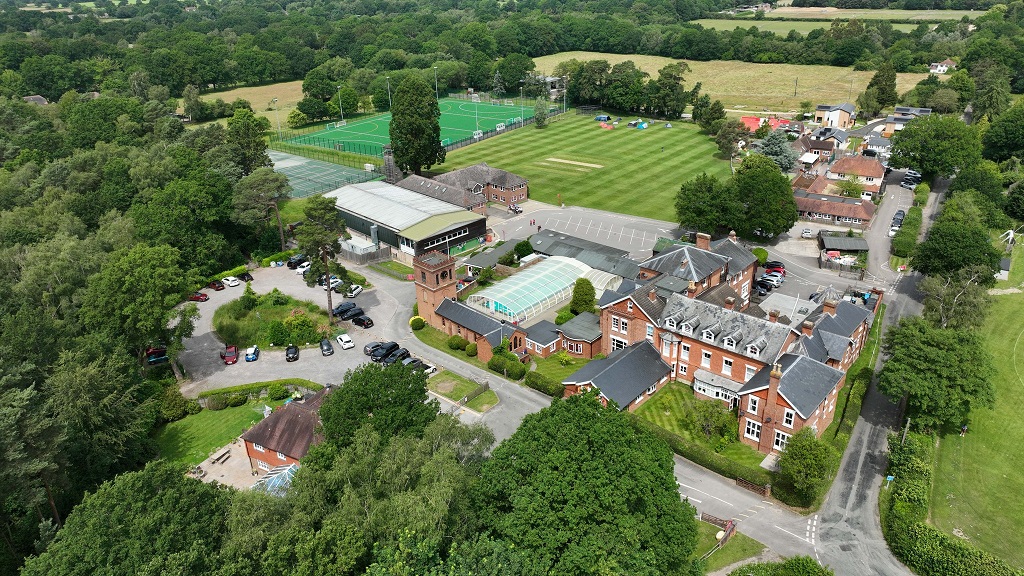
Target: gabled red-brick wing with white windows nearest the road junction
796 392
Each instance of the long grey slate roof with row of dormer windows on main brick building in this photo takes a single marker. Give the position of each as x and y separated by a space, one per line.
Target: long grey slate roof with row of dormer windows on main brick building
770 338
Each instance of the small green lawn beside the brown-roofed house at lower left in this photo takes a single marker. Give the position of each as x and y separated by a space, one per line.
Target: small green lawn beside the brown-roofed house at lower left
191 440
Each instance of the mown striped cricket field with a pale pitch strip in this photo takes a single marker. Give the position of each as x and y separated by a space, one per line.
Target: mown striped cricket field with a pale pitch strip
590 167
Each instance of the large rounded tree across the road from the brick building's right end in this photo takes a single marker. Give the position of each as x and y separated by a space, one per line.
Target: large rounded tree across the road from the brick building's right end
944 374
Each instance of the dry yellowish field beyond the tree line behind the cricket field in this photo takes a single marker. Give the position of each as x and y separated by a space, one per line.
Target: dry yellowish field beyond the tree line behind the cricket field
754 87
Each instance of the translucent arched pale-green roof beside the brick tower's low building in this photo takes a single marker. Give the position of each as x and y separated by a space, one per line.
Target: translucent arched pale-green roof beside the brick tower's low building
533 291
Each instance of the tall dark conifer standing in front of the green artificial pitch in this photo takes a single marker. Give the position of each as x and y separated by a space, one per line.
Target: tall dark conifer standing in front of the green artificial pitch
415 130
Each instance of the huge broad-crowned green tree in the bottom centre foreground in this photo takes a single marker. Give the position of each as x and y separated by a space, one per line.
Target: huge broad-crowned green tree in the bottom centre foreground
601 500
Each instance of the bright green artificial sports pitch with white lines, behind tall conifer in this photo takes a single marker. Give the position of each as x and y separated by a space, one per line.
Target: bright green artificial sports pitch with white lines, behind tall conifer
460 119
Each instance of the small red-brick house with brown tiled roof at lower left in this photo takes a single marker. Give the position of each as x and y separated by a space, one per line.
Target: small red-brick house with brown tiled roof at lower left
285 436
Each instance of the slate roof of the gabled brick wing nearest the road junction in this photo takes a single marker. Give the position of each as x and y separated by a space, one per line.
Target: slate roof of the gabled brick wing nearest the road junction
805 383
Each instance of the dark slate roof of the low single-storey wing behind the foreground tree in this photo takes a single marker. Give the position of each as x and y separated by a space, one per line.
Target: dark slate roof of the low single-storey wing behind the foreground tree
624 376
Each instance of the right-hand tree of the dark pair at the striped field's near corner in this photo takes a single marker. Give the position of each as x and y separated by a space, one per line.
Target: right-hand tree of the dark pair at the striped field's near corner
766 194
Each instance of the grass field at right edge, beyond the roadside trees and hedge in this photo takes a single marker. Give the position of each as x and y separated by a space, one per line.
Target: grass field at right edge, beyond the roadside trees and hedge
978 487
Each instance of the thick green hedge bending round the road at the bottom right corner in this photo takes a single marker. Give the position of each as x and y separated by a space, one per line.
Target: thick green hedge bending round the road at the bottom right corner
924 549
